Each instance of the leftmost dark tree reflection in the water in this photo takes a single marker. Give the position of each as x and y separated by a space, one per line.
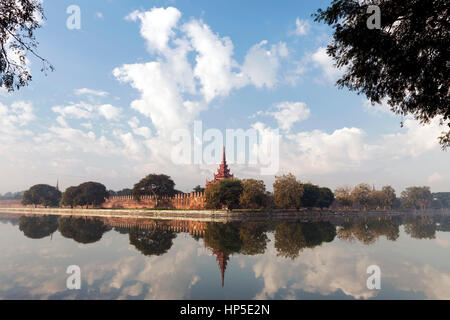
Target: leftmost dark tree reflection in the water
38 227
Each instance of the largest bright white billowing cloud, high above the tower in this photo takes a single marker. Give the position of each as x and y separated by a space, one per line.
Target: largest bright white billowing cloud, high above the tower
175 89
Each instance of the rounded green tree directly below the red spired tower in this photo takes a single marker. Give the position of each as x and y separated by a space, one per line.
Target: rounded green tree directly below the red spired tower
223 193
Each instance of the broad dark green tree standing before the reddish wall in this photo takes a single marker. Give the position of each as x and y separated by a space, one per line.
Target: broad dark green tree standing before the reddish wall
157 185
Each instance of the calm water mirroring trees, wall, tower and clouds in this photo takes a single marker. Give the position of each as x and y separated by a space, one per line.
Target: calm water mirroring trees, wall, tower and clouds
186 259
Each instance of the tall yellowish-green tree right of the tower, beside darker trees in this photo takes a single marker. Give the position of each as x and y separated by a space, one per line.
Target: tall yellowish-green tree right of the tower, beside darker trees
287 192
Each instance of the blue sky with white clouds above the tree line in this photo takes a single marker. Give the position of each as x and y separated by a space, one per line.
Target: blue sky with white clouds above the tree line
135 72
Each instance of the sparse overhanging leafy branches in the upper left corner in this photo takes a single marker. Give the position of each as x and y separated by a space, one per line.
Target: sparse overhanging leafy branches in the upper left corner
18 21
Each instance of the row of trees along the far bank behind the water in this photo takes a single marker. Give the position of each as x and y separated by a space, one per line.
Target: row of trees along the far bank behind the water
250 194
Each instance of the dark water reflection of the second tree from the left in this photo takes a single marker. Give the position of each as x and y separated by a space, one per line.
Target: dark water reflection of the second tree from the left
82 230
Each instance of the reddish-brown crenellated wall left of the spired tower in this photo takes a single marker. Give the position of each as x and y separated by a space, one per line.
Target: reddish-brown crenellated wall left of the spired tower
193 200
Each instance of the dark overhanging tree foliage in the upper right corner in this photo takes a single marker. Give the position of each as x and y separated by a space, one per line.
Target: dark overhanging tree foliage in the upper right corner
405 61
